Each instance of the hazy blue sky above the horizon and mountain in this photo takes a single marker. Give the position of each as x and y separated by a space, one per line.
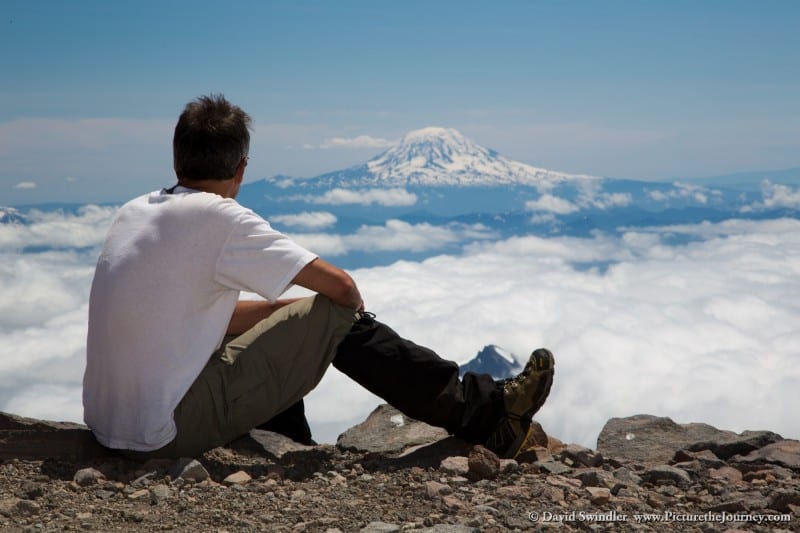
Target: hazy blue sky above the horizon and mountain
643 90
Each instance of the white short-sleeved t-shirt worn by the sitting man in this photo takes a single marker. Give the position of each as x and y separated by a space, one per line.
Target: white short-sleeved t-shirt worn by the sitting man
166 284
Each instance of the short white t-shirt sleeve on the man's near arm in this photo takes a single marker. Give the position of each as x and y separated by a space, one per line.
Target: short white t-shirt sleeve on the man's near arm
259 259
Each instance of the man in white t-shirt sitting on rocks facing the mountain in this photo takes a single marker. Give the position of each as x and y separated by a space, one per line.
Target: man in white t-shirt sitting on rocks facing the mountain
177 365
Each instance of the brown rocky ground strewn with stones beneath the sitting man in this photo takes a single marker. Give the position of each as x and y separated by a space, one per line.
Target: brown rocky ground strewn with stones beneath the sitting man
395 474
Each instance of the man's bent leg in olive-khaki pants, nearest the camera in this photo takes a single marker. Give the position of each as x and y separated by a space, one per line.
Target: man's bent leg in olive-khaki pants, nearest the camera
259 374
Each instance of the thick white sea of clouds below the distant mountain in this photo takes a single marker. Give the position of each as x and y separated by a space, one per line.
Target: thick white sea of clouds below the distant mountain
706 330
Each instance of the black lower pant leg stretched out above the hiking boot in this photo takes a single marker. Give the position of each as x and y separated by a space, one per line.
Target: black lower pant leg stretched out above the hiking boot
418 382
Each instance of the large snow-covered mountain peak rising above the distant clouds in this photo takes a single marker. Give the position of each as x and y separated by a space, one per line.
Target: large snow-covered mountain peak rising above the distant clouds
440 157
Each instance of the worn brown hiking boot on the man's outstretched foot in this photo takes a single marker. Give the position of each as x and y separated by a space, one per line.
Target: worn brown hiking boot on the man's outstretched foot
523 396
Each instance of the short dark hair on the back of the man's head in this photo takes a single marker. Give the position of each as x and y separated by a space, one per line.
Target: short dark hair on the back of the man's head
210 140
